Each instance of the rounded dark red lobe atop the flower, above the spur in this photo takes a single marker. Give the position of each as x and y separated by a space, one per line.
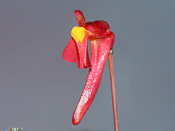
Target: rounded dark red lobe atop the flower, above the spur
98 27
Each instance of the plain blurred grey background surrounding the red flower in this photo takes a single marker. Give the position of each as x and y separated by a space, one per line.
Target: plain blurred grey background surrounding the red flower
39 90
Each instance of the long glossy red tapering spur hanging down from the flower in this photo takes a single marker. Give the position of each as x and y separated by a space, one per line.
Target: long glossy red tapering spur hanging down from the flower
99 52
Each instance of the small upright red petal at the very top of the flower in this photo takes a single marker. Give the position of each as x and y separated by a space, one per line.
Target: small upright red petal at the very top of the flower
80 18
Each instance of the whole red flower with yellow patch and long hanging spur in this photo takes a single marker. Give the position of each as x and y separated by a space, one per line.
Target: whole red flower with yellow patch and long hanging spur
102 40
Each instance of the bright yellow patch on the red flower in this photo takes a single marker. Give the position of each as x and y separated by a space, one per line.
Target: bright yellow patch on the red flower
78 33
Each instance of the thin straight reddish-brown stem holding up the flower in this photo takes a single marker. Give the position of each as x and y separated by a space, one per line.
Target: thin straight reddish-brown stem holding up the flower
113 91
